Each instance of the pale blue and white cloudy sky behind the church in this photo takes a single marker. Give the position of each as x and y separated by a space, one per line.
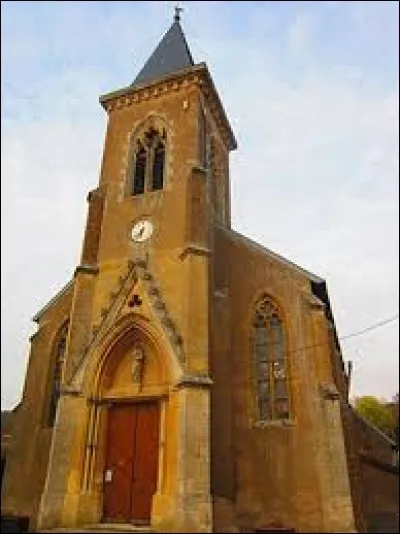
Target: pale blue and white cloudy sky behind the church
312 93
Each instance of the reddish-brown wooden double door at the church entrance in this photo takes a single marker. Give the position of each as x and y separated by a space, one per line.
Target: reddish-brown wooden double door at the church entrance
131 464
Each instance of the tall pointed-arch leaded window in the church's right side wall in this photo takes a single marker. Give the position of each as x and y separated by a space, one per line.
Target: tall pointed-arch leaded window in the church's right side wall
270 362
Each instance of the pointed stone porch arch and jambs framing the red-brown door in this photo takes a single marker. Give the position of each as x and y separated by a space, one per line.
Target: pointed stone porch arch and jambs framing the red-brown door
109 367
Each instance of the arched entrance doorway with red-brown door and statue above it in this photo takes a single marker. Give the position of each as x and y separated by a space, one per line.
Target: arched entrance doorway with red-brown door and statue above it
131 400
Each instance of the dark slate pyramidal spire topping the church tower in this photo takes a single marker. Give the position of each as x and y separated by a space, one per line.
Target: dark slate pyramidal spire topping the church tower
172 54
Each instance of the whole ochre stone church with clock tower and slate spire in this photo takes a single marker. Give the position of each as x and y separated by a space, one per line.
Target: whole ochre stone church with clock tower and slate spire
186 378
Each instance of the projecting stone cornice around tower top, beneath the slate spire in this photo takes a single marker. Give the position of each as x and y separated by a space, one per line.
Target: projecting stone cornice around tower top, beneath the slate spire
197 75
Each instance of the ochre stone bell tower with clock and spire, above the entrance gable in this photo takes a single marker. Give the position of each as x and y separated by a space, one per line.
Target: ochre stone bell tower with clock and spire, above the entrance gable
164 181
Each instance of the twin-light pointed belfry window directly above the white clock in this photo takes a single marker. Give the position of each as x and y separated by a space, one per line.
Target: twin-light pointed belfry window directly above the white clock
149 161
